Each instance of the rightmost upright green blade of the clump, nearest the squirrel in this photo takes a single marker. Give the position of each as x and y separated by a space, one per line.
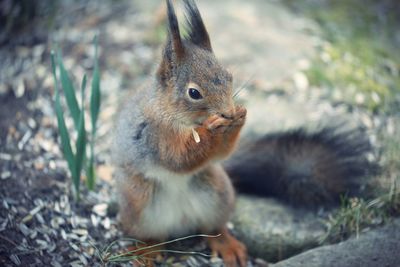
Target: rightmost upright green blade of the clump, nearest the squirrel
95 94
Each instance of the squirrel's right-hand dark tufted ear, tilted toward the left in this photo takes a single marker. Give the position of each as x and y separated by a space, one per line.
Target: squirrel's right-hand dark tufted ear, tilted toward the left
197 32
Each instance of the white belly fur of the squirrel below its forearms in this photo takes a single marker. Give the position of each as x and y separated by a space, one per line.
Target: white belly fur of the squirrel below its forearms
178 207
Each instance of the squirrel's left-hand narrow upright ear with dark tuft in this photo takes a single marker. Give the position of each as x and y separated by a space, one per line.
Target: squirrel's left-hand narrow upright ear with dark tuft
174 37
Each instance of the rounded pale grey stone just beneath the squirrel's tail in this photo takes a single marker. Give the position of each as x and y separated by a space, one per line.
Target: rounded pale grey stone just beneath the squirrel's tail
272 230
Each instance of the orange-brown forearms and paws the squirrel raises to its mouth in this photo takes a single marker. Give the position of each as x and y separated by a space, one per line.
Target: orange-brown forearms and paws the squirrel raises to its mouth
218 138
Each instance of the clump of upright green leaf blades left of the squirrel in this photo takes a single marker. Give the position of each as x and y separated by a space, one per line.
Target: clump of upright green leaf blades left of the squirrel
77 158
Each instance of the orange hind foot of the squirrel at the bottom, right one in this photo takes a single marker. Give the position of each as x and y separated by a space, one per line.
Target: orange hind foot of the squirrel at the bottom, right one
232 251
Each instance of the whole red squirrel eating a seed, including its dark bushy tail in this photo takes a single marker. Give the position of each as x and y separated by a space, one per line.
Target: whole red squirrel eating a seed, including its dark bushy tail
172 135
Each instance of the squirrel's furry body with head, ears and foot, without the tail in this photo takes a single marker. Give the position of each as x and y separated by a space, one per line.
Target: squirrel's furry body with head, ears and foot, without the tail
168 184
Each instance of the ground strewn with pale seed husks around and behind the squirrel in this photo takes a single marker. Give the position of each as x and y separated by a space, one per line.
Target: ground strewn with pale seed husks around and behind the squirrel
268 48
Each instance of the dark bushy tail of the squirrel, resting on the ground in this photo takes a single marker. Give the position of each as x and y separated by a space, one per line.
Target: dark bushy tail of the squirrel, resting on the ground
303 168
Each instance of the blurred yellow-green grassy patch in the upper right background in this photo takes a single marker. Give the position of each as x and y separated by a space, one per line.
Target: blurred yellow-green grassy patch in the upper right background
360 59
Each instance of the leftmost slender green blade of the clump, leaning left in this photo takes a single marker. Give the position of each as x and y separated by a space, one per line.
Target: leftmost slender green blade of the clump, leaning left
65 139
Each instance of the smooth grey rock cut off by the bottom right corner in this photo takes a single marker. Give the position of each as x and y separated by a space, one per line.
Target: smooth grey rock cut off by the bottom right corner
379 247
